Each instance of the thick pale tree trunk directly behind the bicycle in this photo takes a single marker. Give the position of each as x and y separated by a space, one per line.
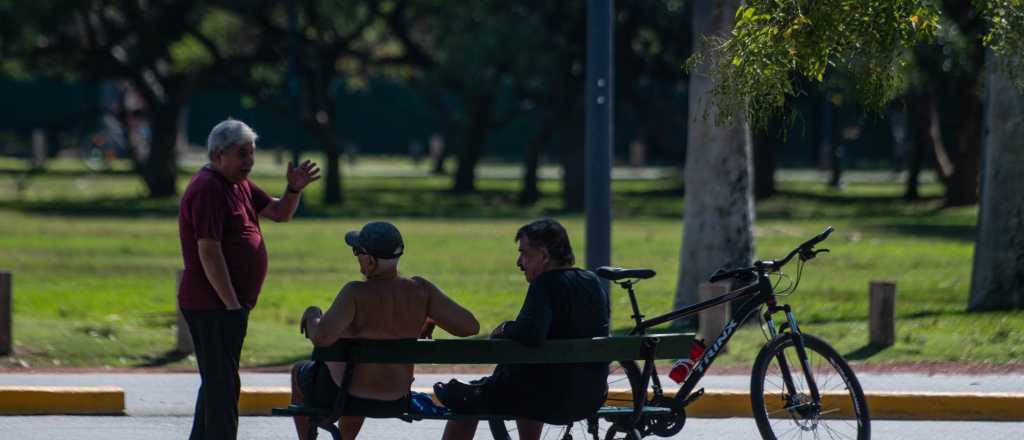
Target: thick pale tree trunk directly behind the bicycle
718 212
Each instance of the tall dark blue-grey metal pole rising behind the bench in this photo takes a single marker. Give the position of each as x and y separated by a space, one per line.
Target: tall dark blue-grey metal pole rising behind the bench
601 129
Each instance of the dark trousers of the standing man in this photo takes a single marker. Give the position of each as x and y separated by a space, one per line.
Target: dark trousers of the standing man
218 336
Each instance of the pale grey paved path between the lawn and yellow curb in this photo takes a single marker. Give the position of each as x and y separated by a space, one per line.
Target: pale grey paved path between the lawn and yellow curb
175 394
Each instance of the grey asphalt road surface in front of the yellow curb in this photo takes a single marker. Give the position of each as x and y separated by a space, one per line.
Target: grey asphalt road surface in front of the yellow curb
177 428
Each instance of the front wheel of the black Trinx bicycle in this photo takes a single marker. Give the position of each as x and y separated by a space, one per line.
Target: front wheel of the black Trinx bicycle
783 413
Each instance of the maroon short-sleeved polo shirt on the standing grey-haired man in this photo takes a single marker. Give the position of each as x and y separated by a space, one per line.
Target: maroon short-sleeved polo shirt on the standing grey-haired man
216 209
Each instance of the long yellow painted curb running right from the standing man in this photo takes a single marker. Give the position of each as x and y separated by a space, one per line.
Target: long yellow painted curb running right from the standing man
729 404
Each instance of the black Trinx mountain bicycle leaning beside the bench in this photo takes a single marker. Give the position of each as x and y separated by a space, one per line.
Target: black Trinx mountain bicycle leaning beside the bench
800 385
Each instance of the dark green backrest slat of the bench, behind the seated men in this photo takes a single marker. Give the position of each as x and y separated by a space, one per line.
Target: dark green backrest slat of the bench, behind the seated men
670 346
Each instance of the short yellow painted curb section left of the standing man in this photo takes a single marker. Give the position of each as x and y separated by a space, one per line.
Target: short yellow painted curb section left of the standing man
62 401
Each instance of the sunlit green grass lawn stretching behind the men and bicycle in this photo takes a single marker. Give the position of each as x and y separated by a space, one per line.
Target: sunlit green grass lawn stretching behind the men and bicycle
95 263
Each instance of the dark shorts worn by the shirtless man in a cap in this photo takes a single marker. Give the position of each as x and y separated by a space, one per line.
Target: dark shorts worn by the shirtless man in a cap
321 391
